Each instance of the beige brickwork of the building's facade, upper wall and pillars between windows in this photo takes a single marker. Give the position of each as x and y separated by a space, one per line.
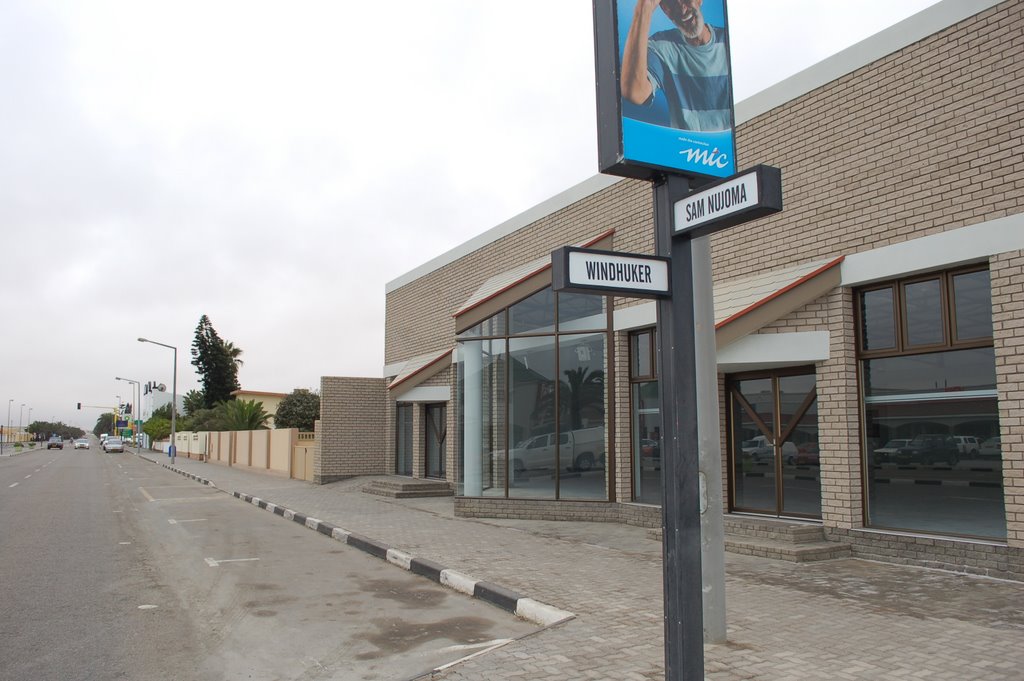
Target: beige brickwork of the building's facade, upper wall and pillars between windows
925 141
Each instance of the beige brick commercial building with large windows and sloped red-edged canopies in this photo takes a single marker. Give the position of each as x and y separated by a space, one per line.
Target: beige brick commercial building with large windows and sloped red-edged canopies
869 337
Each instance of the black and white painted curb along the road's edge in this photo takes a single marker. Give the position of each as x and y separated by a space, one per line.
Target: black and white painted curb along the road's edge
506 600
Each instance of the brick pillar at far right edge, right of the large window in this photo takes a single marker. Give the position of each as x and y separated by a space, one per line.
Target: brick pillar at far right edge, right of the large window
1008 321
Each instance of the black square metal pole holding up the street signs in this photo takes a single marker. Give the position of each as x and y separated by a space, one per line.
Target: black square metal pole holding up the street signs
680 503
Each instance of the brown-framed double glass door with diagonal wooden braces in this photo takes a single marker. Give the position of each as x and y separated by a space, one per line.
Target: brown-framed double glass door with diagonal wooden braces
775 444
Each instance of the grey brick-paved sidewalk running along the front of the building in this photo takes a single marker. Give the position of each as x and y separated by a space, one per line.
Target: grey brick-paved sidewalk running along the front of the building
837 620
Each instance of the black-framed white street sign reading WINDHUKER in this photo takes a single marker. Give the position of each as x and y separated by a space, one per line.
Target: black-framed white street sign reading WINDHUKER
611 273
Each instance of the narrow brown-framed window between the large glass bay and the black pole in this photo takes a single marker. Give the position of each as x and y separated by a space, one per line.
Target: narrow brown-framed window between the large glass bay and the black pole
647 419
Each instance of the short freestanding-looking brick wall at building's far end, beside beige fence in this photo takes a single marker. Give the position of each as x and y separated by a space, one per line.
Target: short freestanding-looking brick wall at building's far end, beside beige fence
354 416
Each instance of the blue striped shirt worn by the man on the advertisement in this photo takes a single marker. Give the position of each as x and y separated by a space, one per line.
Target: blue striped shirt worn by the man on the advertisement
695 79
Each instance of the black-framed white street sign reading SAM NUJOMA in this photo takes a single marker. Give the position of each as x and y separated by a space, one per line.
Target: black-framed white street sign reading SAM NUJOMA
744 197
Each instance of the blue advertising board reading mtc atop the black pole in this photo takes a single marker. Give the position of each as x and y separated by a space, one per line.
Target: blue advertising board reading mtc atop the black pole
664 89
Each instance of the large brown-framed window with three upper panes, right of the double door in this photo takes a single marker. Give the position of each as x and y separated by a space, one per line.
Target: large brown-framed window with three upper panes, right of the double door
931 415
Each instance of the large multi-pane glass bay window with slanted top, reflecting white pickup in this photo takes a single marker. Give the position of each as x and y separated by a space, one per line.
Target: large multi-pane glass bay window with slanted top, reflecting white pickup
533 401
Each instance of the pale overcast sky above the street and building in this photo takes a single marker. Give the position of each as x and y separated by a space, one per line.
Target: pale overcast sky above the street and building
274 164
